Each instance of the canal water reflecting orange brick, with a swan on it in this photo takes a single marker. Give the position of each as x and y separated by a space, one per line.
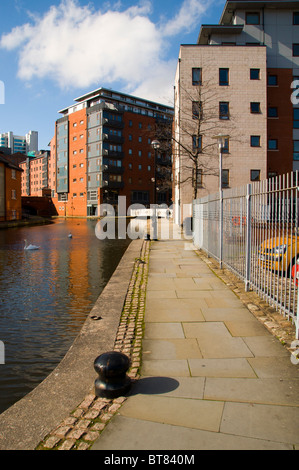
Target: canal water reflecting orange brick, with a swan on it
45 296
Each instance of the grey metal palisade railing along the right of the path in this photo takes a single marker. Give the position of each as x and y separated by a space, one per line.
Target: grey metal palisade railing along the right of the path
253 231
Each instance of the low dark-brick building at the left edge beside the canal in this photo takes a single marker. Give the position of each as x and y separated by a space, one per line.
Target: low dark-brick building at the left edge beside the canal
10 190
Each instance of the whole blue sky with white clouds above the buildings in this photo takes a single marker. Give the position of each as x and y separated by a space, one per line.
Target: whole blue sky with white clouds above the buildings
53 51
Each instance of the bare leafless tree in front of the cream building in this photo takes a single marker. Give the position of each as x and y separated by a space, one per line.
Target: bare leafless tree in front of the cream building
199 116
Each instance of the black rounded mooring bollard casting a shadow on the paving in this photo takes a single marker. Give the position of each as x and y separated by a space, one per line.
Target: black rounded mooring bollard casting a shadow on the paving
113 381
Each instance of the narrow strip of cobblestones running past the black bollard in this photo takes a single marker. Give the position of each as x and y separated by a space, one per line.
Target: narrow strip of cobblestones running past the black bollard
84 425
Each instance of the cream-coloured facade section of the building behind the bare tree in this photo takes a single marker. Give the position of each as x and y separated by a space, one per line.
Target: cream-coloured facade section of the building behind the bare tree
229 83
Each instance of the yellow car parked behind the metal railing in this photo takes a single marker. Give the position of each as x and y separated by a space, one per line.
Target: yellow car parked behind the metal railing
280 253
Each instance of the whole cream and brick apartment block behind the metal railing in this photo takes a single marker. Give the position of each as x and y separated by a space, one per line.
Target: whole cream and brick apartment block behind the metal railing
243 71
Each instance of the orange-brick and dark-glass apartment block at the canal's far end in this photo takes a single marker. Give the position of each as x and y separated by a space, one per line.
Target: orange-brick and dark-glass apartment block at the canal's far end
103 150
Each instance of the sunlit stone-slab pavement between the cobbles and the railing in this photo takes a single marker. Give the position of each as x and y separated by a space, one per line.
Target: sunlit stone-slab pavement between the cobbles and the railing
212 376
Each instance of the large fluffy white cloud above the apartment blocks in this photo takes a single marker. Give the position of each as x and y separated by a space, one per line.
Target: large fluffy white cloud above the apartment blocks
77 46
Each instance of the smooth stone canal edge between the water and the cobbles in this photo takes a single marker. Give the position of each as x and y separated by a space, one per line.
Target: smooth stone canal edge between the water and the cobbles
27 422
